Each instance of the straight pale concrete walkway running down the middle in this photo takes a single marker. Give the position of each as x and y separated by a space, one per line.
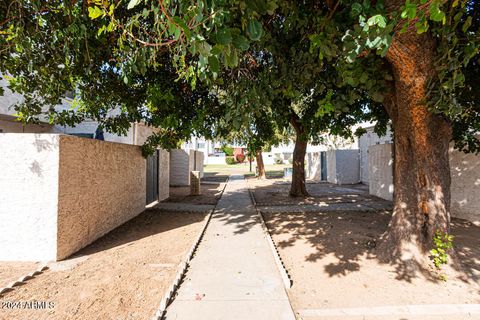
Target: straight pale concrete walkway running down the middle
233 274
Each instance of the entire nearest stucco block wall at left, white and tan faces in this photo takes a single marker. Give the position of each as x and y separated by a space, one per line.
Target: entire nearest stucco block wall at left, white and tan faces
59 193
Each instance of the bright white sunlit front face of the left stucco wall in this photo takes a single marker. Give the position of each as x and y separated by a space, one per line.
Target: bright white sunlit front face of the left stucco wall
29 166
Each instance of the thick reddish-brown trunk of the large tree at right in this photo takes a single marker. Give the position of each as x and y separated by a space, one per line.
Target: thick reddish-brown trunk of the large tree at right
421 169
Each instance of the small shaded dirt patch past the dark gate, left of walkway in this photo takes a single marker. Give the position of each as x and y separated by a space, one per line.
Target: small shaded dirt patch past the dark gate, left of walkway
210 193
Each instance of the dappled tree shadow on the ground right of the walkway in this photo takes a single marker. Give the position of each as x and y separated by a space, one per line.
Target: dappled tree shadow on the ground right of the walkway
350 235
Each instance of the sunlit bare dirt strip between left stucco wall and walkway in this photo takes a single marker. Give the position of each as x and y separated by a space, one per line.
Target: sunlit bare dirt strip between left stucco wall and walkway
123 275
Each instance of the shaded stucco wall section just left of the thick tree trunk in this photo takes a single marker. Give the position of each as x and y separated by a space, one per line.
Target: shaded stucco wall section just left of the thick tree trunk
380 166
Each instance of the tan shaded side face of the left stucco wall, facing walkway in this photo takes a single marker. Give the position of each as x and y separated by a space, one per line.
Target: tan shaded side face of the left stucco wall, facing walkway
101 186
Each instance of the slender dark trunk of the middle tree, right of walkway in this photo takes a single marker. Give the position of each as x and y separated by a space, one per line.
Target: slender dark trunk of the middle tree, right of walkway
298 187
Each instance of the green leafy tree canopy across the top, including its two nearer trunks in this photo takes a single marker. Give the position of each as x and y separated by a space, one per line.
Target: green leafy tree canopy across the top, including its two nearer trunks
314 66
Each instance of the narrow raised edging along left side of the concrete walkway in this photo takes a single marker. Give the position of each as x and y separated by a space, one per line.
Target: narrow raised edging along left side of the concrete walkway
183 267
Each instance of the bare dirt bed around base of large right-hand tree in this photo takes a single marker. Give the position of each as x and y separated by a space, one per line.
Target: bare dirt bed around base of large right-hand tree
332 261
